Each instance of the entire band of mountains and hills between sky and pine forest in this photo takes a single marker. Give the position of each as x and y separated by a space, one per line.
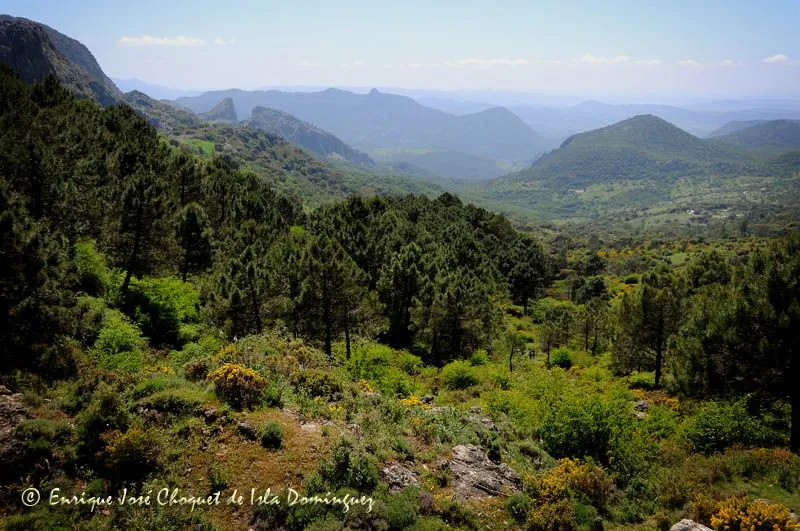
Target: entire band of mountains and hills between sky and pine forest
641 164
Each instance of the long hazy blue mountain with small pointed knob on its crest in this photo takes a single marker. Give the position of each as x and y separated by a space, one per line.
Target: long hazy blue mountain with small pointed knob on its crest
386 120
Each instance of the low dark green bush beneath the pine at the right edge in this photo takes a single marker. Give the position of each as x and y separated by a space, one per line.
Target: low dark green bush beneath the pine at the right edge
719 425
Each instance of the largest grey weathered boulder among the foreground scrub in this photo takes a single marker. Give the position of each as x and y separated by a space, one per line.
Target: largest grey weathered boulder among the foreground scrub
475 475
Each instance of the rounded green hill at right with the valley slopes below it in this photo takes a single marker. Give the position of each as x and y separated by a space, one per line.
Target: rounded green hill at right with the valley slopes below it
647 171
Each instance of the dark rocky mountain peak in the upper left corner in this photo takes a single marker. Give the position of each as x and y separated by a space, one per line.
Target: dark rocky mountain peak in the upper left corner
35 51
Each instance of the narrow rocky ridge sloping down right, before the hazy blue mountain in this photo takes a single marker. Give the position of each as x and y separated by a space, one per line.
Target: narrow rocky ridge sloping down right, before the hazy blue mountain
306 135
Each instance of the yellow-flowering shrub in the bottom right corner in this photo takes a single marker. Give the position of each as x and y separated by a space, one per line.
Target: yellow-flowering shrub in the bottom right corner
740 514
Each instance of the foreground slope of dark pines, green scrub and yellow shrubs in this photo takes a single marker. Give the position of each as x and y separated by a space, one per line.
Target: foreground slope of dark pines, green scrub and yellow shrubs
172 319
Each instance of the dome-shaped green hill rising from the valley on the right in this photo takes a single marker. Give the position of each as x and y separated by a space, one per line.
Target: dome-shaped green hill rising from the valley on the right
641 147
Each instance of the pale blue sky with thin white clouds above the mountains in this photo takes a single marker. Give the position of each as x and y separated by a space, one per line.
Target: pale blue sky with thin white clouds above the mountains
663 49
